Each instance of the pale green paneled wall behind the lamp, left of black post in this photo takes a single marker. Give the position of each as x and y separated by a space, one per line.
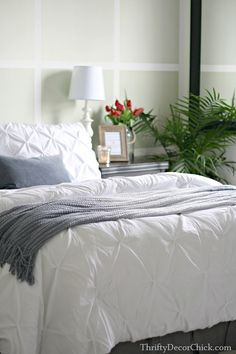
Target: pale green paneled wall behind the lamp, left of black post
135 41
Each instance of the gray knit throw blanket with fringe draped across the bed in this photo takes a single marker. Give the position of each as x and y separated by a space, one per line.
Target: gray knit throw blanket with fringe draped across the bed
25 229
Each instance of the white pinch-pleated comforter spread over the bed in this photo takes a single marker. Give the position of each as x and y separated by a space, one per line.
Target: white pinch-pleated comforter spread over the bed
100 284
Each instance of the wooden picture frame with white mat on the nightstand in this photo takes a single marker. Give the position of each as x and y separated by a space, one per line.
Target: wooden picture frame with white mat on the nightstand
115 137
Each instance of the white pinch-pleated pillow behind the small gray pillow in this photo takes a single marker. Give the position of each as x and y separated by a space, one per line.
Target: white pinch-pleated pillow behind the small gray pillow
71 141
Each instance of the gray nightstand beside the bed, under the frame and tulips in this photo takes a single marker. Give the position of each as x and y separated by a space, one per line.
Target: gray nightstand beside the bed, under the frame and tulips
133 168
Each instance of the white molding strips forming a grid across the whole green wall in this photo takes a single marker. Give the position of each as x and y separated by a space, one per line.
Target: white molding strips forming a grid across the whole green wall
38 65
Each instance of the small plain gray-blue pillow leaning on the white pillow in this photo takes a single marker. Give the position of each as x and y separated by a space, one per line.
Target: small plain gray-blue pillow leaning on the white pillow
20 172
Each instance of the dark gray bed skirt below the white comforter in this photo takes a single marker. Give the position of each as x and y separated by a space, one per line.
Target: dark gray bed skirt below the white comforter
215 339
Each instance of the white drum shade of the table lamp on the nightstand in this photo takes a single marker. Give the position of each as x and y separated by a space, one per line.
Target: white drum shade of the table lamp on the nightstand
87 83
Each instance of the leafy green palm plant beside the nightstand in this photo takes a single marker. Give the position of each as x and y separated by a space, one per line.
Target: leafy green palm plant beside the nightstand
196 134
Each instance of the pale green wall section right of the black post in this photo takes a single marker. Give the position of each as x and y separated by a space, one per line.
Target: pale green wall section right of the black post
218 57
